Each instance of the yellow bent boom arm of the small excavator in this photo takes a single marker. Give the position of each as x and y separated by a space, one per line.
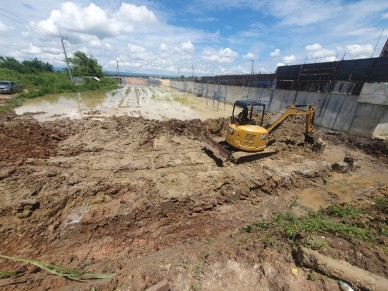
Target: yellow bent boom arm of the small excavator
293 110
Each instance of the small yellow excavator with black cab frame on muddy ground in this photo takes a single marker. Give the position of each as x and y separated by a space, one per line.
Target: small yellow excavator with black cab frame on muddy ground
248 134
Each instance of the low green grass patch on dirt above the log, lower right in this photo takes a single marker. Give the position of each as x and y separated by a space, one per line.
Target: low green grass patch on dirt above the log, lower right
336 220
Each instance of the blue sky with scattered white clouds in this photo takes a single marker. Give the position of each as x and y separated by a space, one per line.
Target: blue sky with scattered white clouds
213 36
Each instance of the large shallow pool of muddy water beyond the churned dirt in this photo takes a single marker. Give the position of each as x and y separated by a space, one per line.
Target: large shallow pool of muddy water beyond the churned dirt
150 102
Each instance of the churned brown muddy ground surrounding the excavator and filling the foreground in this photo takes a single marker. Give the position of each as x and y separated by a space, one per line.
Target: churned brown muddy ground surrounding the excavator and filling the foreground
141 199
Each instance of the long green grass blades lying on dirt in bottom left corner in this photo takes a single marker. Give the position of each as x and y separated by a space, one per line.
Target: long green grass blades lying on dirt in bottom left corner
60 271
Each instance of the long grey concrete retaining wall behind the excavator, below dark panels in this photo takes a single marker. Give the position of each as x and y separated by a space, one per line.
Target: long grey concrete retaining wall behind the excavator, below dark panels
364 115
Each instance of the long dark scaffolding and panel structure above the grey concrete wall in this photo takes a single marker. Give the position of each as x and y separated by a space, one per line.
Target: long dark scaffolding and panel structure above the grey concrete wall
341 77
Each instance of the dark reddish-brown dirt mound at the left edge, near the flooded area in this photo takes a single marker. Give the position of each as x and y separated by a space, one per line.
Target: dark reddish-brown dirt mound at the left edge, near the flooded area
26 138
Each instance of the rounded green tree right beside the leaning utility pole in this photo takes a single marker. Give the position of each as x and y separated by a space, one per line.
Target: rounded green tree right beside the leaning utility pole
82 65
